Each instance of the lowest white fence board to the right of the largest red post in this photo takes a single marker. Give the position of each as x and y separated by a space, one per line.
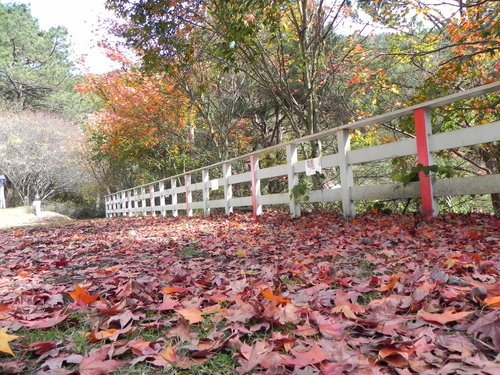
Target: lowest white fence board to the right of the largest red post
468 185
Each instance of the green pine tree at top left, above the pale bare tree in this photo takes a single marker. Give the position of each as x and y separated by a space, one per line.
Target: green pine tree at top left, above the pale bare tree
35 72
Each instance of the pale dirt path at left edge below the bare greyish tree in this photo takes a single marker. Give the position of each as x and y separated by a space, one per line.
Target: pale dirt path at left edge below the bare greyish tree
24 216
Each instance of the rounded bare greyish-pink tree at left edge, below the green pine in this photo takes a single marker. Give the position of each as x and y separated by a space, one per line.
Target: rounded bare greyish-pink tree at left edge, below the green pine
38 156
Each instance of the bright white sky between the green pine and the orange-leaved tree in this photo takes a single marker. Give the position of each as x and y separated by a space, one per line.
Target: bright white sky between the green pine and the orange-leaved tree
82 18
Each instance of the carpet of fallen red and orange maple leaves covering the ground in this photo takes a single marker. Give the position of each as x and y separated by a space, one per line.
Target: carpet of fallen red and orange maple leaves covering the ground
374 295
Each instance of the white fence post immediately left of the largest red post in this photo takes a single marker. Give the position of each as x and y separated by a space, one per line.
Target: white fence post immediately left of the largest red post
346 176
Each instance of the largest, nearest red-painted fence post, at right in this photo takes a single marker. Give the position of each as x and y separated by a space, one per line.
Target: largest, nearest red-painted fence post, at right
423 128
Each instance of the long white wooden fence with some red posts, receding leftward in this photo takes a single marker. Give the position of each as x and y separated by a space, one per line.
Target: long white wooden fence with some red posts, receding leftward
162 197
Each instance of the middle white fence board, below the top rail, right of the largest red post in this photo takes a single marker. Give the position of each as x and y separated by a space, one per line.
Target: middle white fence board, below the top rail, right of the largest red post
465 137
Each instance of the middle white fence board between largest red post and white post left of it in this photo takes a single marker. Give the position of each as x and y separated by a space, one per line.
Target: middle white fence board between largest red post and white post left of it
386 151
